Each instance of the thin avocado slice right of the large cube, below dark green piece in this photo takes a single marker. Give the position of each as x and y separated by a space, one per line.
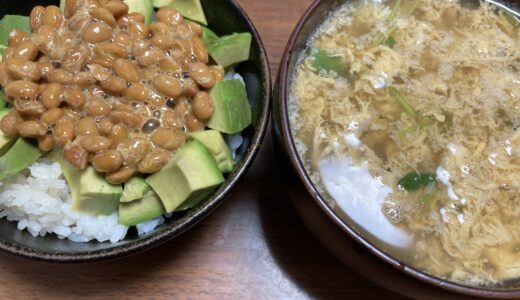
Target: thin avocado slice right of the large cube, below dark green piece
216 145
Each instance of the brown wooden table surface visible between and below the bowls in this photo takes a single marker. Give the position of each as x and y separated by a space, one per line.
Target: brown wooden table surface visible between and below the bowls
253 246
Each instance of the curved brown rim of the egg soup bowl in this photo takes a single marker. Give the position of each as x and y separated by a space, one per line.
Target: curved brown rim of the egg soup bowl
281 96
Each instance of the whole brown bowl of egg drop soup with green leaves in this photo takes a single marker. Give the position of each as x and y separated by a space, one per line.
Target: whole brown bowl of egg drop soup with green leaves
399 118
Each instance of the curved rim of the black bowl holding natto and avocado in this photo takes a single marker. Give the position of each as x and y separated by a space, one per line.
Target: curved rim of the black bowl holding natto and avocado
196 214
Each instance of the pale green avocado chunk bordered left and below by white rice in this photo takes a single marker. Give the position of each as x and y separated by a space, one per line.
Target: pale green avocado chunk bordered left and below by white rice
91 193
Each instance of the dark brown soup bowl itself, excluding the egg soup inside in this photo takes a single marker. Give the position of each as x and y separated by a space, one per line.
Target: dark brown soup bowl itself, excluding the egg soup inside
337 233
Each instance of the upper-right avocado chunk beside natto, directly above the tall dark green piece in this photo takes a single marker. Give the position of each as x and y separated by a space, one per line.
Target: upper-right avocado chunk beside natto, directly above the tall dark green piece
231 49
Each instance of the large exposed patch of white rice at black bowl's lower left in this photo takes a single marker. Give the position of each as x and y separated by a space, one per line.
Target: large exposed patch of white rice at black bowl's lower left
40 201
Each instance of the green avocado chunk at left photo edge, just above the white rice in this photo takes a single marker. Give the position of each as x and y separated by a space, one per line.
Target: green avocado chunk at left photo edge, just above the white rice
21 155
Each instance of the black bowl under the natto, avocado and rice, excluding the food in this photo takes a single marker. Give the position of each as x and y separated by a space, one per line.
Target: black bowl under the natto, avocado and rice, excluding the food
224 17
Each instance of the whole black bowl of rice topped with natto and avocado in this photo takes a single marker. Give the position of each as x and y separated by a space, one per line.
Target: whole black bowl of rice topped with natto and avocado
123 123
